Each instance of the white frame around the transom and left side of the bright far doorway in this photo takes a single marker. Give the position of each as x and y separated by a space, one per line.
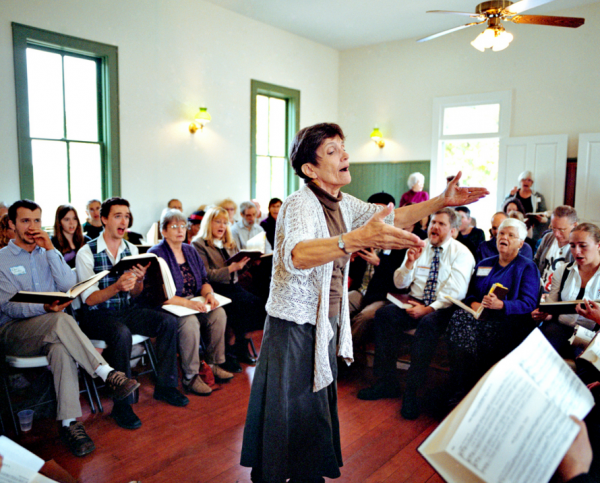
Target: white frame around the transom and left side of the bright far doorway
504 98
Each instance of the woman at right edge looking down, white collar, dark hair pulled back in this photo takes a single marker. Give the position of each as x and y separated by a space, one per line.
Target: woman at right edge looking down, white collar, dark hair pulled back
574 281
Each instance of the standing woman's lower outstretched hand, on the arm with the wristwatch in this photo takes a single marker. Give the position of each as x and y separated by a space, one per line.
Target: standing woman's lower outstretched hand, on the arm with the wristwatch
377 234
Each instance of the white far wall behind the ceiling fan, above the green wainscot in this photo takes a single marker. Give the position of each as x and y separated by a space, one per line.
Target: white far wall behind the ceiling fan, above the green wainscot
553 72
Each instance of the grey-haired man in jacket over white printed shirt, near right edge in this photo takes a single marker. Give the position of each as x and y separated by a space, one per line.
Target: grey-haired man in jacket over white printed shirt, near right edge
554 248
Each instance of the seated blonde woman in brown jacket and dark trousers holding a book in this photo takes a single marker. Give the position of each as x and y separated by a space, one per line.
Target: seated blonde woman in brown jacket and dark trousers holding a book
246 313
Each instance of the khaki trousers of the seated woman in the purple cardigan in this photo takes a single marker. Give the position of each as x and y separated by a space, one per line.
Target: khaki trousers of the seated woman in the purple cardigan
212 325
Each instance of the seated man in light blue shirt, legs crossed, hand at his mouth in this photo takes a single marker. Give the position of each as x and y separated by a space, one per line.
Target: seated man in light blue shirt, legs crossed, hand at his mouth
31 263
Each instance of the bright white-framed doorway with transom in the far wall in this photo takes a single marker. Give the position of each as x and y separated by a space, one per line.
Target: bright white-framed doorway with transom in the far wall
467 132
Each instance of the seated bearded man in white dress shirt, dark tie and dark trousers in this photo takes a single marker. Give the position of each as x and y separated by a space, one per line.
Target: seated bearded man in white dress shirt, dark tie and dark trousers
442 268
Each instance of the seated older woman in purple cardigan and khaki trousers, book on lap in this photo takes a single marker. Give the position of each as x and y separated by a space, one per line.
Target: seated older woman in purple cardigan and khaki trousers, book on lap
191 280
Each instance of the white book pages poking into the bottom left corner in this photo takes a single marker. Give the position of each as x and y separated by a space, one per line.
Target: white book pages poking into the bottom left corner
19 465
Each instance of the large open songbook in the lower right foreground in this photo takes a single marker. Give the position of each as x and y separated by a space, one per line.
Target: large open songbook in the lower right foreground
514 425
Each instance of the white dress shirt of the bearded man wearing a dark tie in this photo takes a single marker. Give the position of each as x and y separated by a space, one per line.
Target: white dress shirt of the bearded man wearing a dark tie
456 268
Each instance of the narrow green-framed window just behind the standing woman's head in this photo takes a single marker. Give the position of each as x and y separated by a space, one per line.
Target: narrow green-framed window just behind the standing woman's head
275 120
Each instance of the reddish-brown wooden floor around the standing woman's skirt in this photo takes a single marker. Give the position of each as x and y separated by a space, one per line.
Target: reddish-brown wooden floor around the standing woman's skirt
202 442
